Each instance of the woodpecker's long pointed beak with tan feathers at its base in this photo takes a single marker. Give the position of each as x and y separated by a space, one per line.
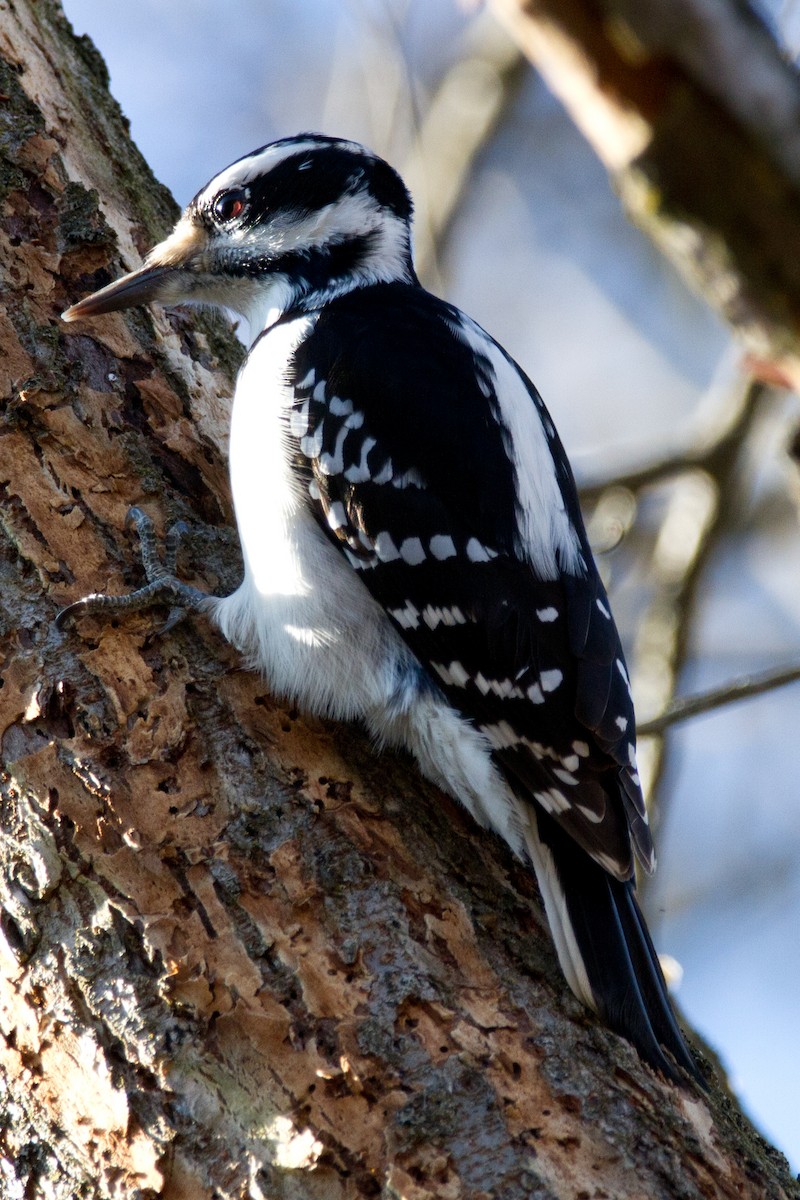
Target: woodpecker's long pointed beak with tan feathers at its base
167 277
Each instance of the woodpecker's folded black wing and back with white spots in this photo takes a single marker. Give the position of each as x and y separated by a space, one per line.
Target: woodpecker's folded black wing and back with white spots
404 449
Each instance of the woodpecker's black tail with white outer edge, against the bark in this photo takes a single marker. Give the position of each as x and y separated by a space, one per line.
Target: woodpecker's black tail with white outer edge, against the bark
606 951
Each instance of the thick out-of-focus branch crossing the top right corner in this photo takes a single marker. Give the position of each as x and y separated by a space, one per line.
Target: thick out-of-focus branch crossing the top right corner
695 112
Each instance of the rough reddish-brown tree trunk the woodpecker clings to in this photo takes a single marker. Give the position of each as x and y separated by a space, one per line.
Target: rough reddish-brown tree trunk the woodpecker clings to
243 956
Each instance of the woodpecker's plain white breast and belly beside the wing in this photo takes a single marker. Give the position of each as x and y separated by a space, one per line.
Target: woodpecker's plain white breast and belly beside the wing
302 615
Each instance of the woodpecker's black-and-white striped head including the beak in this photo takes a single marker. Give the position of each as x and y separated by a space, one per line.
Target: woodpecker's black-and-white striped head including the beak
288 226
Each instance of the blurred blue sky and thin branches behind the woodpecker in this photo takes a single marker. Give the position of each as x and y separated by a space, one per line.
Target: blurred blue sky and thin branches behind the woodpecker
518 225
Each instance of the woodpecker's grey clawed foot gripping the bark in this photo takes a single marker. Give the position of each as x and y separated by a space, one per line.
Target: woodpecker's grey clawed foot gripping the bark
163 586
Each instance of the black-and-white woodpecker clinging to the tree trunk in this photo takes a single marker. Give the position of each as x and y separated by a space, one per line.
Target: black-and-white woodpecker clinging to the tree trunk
414 551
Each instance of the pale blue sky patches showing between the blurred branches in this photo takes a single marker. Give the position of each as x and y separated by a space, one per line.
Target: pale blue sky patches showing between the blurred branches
627 361
